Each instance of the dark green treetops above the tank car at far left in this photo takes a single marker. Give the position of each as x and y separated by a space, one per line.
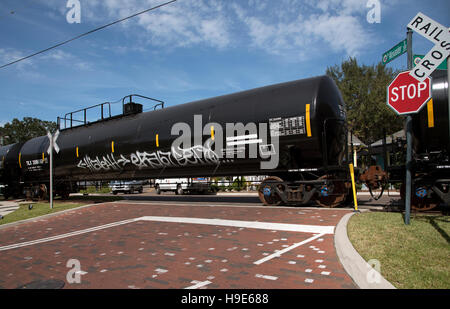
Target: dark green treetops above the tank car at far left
23 130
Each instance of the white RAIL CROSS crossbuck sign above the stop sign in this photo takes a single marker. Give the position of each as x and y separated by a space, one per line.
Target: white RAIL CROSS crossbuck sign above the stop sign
437 34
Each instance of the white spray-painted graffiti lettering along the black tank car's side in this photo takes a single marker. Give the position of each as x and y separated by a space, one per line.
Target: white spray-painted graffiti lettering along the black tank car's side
196 155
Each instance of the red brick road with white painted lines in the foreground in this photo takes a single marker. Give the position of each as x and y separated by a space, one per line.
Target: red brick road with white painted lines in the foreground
150 254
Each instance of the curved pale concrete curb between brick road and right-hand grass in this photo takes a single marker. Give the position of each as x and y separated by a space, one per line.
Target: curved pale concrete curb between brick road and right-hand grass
355 266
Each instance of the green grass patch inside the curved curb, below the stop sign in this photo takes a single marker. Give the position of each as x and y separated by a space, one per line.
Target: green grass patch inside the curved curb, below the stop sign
411 257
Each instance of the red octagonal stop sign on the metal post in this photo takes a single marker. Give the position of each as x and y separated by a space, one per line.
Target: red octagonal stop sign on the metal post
407 95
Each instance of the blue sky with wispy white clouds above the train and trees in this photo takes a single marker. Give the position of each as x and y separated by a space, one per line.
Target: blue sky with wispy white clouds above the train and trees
189 50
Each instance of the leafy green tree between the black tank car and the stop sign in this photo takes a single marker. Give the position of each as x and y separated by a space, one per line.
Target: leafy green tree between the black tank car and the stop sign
363 89
